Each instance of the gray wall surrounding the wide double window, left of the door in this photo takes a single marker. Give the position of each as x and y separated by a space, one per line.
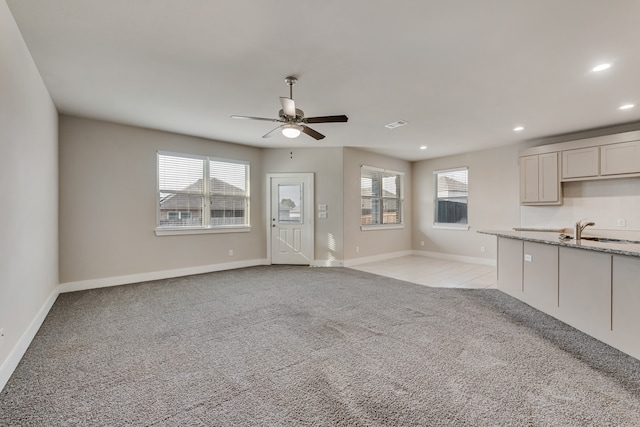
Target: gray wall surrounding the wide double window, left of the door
108 204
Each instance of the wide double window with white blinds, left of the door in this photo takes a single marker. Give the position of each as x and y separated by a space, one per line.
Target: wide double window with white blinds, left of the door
196 192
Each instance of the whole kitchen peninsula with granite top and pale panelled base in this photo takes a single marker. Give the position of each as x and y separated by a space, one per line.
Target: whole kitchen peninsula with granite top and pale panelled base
590 285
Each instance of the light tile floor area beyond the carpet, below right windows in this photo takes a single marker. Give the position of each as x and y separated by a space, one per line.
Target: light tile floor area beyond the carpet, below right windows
434 272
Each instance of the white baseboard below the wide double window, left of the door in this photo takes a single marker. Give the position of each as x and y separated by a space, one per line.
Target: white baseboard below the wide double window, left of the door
155 275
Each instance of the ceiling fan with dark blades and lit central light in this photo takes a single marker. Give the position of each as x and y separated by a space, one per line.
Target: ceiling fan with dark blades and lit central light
293 120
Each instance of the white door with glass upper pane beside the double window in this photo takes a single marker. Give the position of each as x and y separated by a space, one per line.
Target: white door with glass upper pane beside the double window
291 218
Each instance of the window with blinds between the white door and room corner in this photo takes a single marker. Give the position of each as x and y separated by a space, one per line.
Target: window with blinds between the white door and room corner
381 197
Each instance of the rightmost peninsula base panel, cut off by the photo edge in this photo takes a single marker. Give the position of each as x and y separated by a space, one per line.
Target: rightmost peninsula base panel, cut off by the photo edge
625 323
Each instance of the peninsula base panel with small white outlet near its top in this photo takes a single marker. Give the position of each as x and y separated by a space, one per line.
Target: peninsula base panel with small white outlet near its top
540 276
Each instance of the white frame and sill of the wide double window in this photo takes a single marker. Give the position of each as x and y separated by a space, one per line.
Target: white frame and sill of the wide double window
207 194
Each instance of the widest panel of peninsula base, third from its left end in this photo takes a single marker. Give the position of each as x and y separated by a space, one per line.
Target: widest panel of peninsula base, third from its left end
585 291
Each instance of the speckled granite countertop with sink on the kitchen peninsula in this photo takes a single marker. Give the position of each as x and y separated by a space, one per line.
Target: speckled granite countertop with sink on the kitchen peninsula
553 238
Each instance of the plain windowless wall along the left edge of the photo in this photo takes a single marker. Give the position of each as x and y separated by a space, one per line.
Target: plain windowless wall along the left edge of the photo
29 176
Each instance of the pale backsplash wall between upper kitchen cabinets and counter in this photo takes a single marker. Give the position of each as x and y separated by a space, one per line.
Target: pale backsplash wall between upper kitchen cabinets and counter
603 201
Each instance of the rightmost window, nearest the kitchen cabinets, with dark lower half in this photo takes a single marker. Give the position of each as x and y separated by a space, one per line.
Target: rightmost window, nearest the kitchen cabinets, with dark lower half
451 197
